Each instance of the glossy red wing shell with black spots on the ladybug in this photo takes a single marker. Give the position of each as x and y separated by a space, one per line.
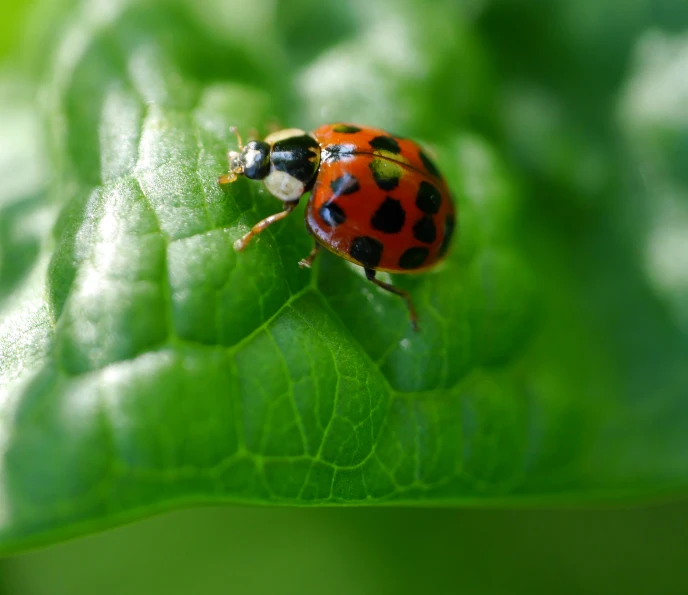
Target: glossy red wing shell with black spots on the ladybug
379 200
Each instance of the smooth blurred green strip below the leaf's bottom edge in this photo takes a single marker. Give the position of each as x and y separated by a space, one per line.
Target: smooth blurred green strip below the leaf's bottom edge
377 551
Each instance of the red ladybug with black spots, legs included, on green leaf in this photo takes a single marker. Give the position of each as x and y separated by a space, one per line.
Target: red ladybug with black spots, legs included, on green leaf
376 199
